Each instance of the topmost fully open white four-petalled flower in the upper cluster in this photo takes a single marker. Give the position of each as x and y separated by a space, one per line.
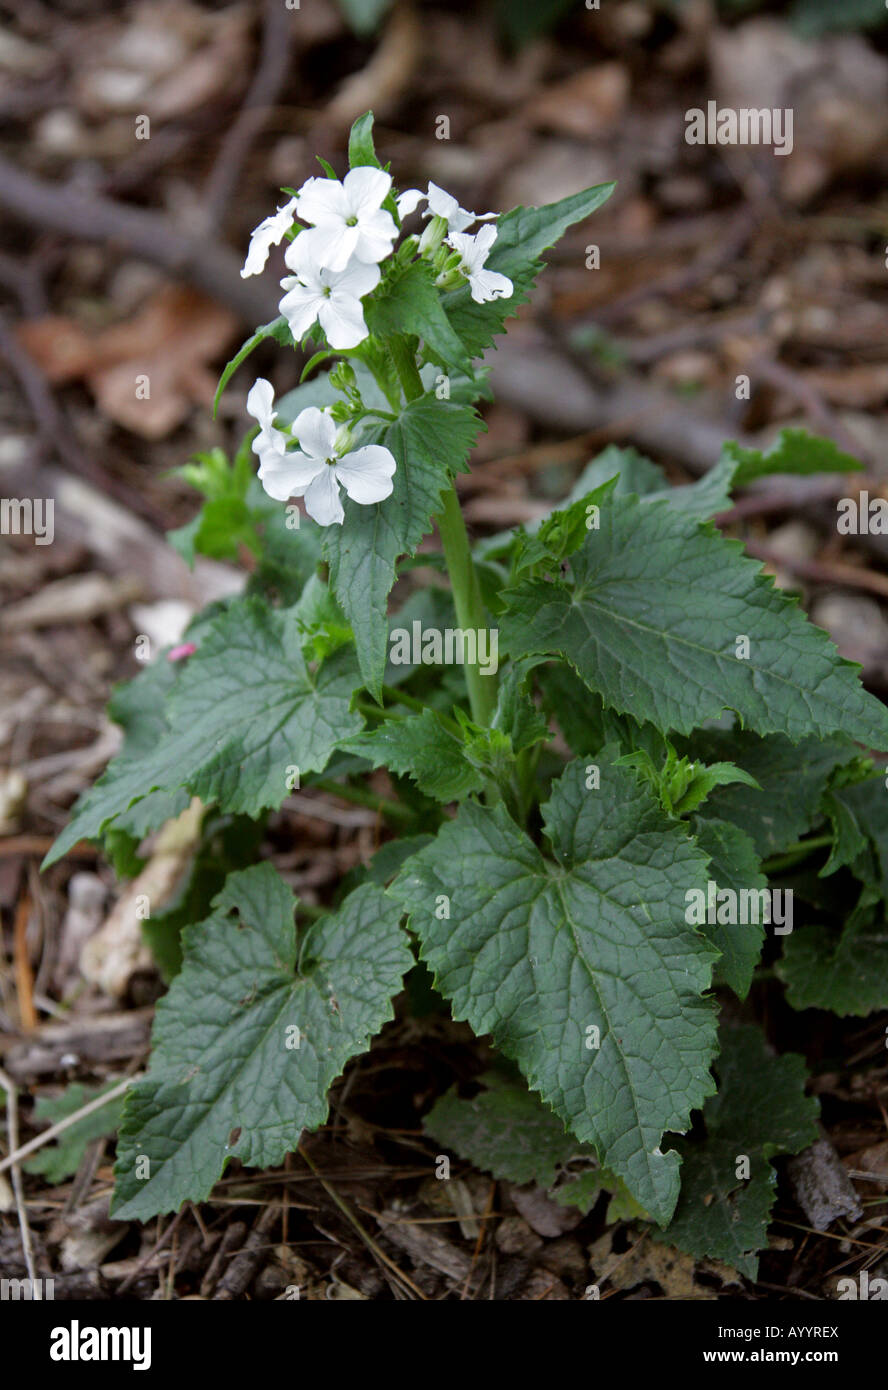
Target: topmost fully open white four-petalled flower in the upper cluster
348 219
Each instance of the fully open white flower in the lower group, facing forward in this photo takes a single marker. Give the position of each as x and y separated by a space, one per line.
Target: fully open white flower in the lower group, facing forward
319 466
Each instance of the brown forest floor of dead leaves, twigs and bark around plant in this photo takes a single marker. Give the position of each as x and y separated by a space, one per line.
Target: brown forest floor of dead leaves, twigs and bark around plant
122 256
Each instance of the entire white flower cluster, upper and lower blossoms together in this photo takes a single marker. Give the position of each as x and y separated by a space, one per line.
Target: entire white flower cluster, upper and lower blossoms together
336 262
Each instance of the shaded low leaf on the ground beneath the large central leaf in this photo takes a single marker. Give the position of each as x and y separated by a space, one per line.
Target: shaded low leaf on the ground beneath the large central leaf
508 1132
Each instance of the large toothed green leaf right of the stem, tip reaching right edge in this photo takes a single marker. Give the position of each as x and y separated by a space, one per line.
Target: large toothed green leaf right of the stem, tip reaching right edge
652 619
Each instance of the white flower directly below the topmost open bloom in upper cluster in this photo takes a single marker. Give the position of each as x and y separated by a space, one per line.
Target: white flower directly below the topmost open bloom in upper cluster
334 298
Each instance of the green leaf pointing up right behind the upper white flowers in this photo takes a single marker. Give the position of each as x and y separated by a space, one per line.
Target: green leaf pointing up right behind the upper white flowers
522 237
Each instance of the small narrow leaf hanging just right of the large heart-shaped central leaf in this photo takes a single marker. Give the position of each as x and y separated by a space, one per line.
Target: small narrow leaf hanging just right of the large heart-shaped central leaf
733 864
